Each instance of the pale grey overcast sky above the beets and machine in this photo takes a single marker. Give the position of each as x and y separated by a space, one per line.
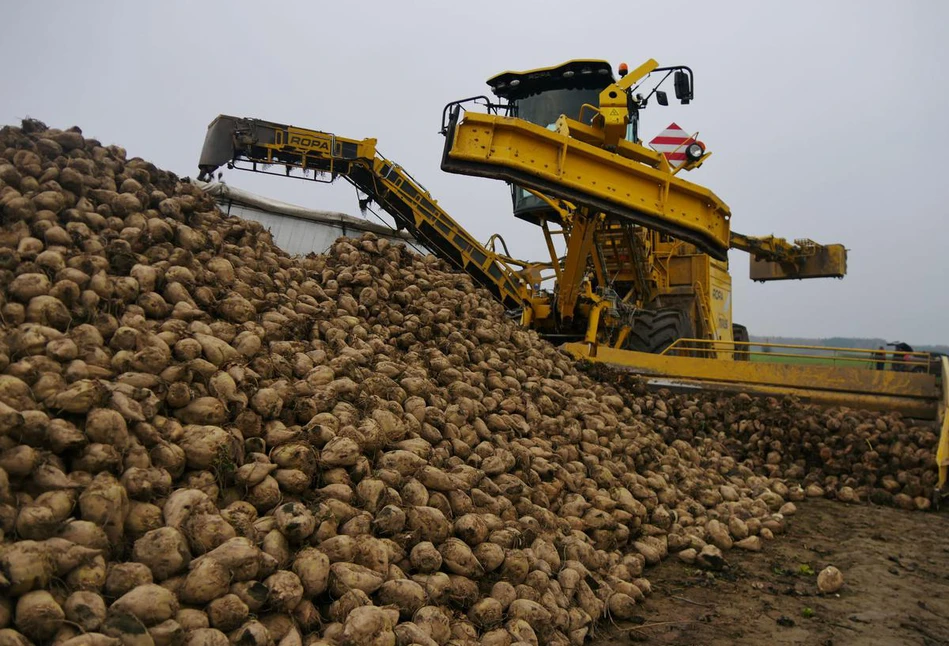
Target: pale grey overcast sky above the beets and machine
827 119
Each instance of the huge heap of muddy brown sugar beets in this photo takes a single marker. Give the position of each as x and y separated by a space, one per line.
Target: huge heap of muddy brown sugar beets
205 441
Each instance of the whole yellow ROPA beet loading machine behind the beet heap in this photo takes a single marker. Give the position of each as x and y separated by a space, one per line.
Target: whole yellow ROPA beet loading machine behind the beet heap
637 274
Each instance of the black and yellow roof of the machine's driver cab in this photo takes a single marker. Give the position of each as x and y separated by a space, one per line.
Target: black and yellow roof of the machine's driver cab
586 74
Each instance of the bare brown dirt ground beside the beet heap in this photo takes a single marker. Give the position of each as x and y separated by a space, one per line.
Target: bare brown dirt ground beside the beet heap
895 563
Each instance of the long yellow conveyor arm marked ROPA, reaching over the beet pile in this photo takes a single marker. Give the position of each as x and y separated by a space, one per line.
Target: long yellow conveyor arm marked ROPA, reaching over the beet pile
257 145
